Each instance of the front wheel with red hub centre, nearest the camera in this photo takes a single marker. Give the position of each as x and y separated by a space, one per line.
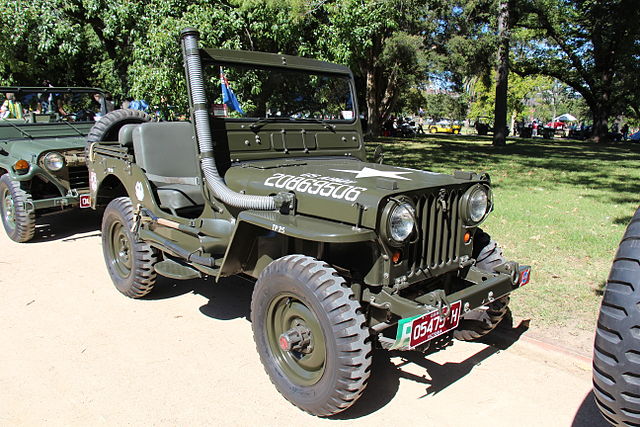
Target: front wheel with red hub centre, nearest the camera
330 371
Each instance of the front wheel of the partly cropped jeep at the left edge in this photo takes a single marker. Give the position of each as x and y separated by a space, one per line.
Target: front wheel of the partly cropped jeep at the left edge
19 222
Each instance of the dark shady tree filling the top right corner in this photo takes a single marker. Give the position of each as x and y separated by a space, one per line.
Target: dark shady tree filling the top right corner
590 45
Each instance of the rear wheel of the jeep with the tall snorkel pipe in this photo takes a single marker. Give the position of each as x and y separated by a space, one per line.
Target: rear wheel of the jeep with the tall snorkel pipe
129 260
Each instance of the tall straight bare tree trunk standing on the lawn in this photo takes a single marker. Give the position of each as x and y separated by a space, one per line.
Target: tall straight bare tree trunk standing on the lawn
502 79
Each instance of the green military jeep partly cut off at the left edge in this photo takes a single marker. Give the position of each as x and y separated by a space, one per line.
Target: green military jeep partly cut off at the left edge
42 158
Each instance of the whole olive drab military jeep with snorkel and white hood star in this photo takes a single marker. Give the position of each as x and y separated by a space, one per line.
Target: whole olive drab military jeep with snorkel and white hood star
272 184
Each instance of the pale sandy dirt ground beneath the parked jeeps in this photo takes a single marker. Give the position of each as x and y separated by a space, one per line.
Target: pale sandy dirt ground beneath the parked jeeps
76 352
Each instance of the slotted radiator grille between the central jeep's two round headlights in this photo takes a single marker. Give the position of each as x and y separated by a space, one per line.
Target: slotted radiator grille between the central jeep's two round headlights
439 228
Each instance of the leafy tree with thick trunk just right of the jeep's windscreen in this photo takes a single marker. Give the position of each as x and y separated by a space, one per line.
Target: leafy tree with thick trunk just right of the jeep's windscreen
384 44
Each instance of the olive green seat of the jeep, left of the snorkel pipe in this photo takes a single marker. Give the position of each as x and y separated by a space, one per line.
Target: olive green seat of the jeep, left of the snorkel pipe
166 151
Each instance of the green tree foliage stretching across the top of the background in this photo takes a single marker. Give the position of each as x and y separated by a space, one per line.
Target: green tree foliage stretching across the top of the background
394 47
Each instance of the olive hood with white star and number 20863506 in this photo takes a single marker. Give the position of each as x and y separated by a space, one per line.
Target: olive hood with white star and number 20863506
333 188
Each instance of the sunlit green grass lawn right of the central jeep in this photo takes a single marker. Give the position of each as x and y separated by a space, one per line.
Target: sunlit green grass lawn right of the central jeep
560 206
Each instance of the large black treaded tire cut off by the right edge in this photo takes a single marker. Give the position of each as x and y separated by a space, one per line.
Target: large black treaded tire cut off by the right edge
616 355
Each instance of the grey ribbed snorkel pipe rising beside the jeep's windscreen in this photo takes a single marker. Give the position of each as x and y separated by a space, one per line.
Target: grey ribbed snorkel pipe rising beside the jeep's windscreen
200 117
